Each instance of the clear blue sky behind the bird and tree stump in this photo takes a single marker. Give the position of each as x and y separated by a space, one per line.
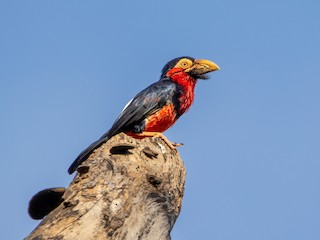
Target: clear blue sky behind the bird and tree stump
251 139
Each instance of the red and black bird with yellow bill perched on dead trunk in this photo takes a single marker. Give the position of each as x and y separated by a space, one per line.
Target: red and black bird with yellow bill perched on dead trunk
156 108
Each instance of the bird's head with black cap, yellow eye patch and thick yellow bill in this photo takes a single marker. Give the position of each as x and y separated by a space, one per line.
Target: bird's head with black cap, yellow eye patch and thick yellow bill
188 66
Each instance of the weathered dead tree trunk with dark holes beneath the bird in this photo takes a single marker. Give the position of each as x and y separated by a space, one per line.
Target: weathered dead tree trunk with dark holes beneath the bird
127 189
